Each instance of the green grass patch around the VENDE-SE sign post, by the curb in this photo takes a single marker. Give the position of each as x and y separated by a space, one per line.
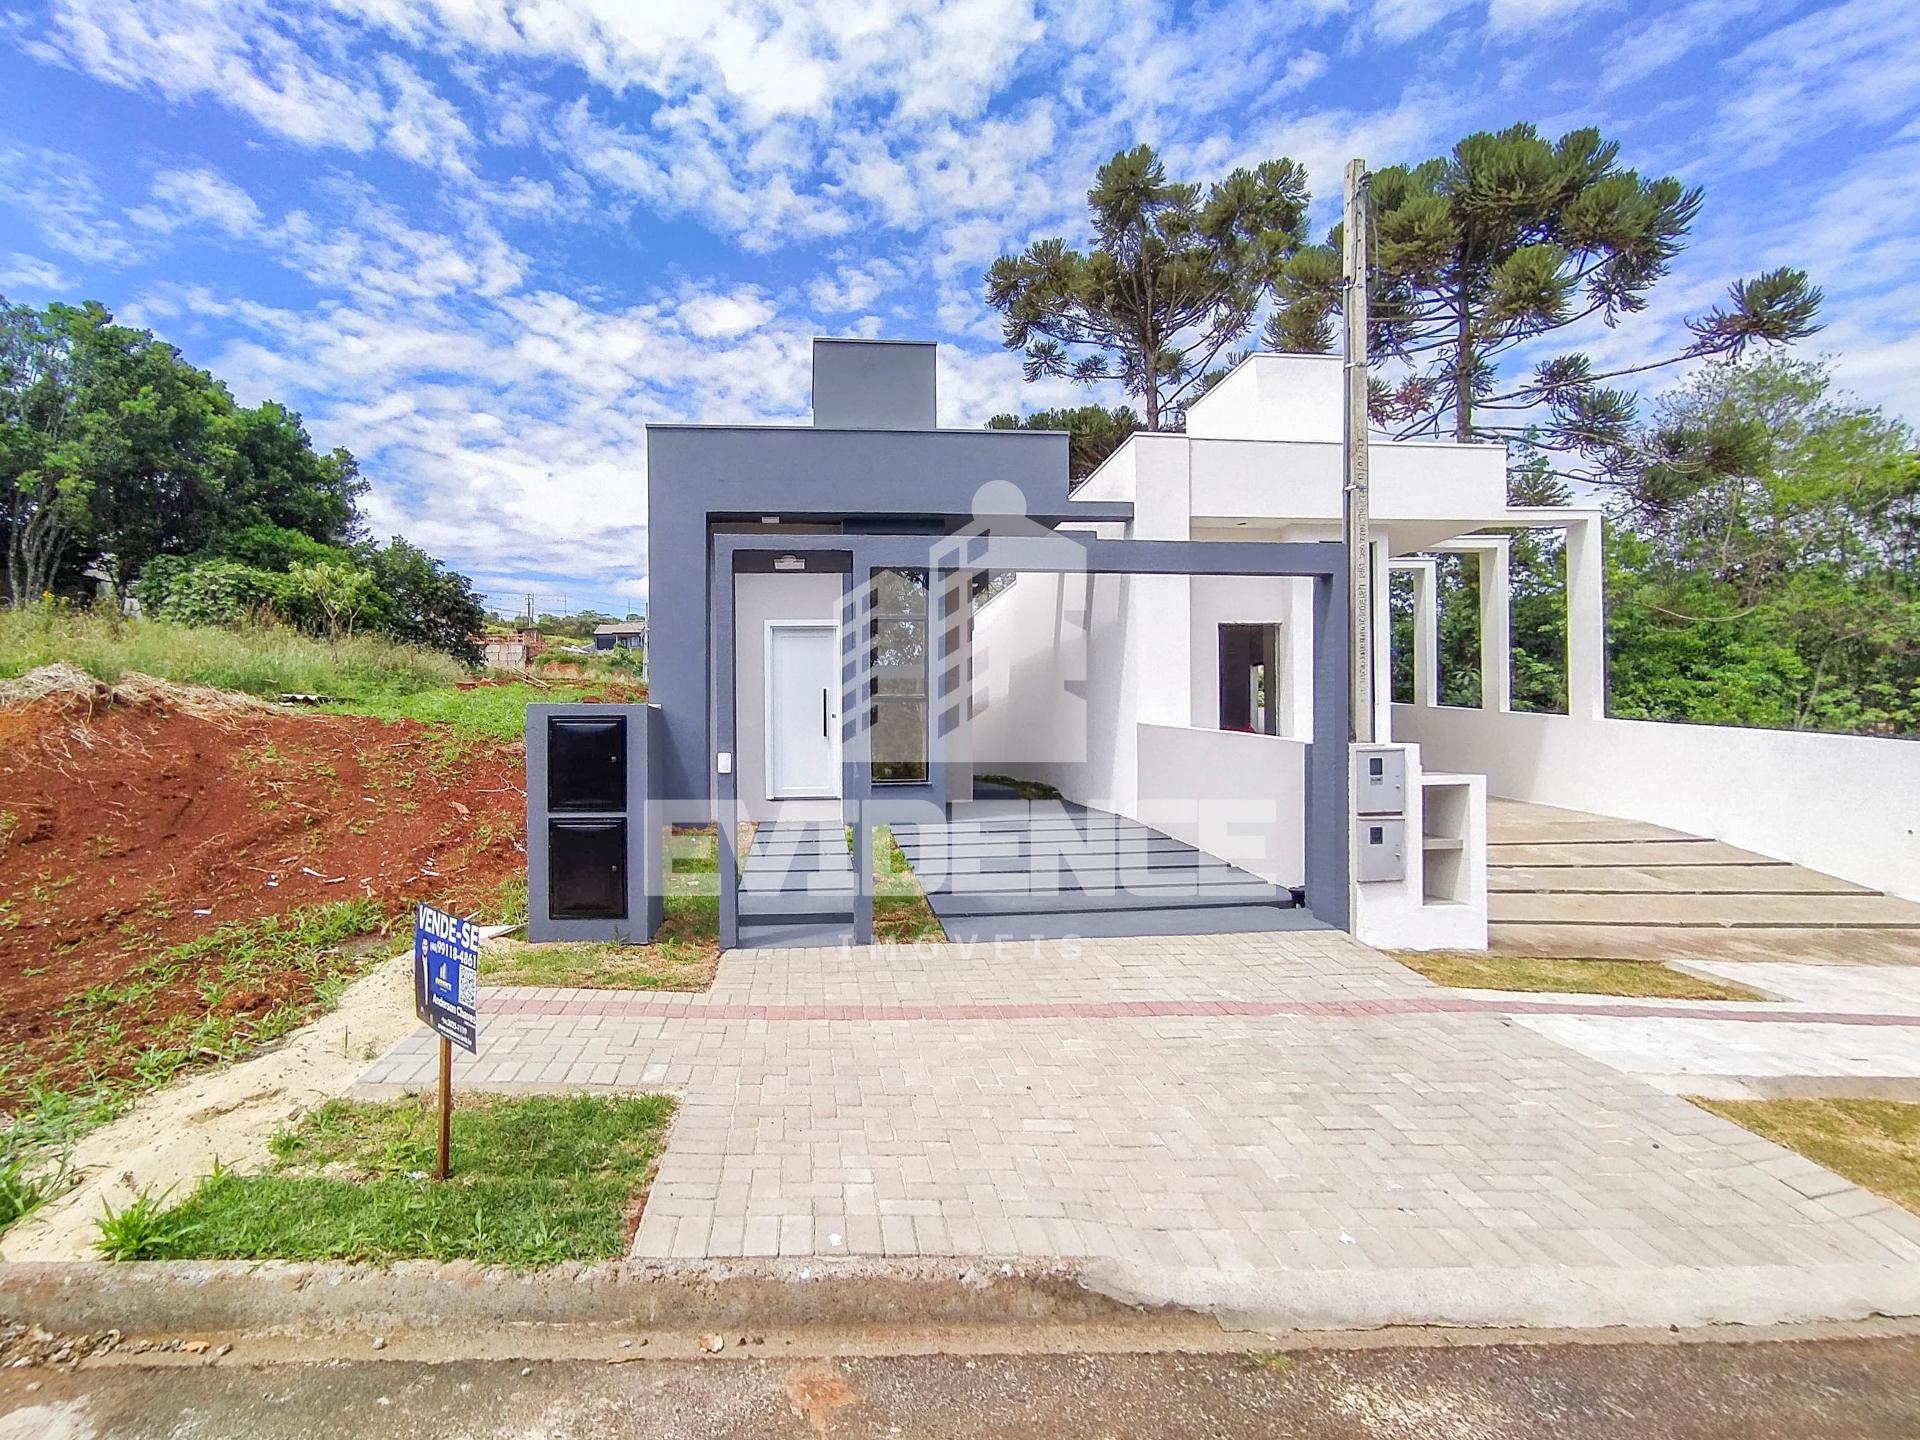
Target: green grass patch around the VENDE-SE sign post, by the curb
537 1180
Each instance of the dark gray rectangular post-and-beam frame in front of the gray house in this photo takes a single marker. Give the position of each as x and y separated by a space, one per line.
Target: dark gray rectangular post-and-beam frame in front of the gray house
942 556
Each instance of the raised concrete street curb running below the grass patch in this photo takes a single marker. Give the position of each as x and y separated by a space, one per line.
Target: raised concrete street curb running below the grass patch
145 1299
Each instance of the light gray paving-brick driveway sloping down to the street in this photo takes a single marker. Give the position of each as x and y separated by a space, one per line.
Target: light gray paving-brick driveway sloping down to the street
1285 1124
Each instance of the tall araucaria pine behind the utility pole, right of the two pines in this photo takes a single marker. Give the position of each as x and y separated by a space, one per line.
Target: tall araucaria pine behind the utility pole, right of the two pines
1500 245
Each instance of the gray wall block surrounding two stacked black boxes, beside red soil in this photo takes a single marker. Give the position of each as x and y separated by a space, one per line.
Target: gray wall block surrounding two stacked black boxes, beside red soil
646 842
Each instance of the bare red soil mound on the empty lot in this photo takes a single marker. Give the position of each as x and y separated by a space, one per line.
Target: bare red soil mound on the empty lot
132 828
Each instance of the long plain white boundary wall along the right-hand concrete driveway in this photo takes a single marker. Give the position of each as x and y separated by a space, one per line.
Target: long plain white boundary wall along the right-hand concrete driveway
1846 805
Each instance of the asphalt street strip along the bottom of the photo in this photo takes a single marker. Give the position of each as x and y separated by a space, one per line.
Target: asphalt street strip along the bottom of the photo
1719 1391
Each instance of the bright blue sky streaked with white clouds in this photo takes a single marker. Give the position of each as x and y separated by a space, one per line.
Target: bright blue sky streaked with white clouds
485 243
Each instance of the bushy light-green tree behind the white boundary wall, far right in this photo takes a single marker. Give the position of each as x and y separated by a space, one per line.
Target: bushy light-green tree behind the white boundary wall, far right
1771 571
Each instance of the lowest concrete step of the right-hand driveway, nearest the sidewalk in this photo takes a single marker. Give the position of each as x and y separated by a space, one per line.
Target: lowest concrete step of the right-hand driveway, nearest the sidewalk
1760 944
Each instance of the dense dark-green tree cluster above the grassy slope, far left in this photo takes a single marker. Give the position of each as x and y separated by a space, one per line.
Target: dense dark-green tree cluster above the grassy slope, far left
118 458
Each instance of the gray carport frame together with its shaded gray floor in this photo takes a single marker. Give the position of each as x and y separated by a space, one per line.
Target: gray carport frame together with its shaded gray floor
1191 886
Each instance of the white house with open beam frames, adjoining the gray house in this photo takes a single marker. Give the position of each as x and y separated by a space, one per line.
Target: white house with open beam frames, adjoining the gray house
1209 681
